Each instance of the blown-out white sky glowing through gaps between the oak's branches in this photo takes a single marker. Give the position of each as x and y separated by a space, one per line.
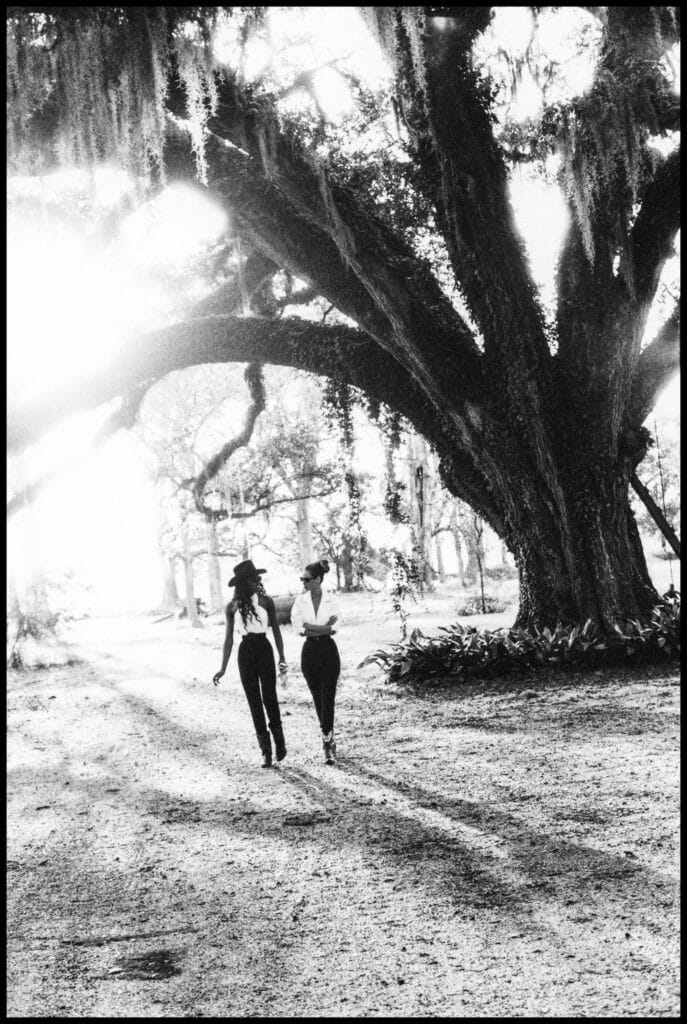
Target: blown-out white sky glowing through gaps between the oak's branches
72 303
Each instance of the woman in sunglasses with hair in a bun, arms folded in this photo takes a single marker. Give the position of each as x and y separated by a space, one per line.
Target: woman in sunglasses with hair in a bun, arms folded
314 616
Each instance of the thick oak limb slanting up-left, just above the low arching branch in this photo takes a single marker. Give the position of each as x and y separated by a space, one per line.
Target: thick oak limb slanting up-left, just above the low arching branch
323 235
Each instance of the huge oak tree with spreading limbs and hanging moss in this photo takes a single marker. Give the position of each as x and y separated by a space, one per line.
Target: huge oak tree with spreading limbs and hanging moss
537 420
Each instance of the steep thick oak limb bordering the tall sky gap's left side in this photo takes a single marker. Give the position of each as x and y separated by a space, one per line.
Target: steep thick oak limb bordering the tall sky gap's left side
464 174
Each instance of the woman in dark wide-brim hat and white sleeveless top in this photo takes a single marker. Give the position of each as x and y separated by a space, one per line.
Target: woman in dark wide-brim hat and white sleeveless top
253 611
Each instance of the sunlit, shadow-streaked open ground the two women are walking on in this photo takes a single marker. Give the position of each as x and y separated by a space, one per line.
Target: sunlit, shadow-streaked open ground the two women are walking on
512 852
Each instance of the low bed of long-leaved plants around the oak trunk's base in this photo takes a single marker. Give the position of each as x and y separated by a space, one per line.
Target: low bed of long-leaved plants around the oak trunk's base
464 653
